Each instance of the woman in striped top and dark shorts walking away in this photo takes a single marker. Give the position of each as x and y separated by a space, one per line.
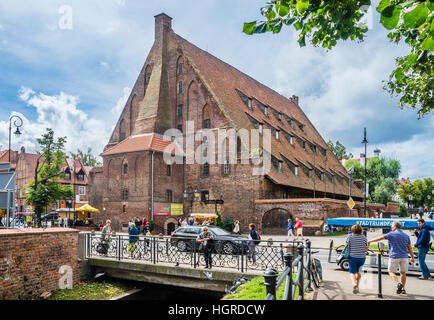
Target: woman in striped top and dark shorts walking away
358 245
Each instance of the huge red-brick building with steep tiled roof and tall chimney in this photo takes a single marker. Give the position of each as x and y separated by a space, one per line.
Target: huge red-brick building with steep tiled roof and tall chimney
178 83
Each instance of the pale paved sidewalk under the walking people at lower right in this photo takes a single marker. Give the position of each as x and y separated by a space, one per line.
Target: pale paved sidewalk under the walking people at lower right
337 286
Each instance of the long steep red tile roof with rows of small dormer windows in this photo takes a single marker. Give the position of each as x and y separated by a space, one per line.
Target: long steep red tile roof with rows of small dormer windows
227 85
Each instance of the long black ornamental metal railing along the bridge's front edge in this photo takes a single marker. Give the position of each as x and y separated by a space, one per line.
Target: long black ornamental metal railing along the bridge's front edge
233 254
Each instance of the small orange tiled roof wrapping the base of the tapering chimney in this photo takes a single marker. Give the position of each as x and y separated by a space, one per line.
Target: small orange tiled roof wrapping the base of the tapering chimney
144 142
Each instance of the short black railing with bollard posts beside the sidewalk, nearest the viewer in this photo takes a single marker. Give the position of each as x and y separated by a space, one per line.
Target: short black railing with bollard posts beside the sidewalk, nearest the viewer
305 265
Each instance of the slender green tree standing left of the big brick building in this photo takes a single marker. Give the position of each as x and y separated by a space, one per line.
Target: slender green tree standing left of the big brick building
44 189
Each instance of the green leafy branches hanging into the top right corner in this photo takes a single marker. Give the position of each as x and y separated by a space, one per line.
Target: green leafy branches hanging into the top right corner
325 22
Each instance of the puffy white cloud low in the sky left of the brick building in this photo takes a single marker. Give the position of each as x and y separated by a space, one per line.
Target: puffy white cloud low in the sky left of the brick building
62 114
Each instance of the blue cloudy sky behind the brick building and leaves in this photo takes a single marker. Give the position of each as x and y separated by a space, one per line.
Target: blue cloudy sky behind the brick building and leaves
77 80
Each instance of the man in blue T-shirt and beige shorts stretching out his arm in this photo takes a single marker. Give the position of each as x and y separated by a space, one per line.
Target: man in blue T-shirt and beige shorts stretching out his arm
399 248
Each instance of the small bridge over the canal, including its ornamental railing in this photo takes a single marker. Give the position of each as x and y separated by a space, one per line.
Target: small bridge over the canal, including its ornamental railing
157 260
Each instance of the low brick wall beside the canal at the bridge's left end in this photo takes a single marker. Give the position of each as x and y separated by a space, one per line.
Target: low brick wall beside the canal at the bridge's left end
30 260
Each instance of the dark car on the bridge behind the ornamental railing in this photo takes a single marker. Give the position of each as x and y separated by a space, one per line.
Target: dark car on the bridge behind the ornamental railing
184 238
